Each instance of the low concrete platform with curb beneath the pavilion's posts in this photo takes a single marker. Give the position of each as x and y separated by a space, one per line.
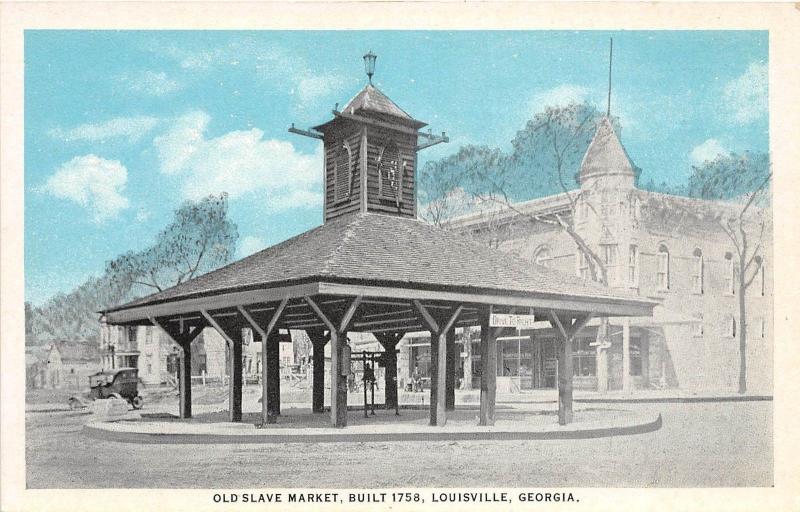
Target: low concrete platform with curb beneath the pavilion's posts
302 426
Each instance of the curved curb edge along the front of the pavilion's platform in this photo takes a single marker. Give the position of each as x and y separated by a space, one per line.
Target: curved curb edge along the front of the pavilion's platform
432 435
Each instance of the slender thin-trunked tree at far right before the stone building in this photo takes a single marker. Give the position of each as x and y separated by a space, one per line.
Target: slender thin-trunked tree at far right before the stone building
742 181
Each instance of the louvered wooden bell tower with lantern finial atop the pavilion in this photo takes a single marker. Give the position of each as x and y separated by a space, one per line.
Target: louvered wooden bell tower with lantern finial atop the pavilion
370 149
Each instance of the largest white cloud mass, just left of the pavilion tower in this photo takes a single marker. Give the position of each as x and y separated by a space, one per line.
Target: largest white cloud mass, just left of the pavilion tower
238 162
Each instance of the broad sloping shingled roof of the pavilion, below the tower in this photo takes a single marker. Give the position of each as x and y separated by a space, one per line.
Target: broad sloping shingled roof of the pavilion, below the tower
370 247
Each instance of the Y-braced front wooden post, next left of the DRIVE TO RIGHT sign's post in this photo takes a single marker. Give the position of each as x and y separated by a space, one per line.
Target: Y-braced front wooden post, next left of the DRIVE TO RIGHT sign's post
438 329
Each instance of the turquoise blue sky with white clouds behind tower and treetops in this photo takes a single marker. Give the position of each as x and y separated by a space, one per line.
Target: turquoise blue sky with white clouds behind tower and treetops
121 127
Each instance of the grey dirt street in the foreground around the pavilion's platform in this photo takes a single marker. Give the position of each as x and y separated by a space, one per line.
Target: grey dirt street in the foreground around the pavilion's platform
700 445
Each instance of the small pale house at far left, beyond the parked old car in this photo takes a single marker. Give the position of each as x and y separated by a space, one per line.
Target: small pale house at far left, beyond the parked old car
62 364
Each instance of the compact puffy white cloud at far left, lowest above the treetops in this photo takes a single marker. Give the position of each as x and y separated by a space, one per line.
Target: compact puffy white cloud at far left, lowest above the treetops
95 183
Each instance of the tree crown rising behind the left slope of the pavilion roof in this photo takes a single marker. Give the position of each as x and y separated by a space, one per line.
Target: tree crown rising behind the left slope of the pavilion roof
199 239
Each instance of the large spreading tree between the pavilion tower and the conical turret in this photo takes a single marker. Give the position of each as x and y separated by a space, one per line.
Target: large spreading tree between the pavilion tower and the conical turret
546 157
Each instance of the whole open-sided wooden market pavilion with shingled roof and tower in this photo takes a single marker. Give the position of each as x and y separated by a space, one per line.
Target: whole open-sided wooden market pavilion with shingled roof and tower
373 267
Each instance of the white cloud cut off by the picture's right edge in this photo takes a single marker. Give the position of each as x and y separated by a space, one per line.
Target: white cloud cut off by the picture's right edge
746 97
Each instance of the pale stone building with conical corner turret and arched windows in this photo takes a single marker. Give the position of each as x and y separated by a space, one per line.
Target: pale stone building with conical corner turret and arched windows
655 246
